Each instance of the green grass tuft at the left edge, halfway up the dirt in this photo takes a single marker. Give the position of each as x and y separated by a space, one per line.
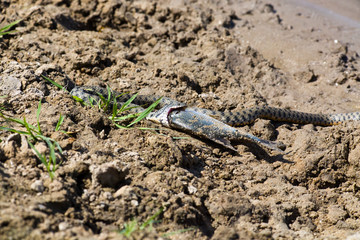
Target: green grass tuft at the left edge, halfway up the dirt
34 134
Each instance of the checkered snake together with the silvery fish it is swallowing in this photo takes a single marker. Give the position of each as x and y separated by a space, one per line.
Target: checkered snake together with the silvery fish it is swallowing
217 126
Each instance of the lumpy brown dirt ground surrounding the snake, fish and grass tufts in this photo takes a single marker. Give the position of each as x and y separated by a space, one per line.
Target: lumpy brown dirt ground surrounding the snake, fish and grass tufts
223 55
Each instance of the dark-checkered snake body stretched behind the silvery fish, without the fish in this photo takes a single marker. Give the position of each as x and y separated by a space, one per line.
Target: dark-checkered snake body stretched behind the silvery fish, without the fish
244 117
